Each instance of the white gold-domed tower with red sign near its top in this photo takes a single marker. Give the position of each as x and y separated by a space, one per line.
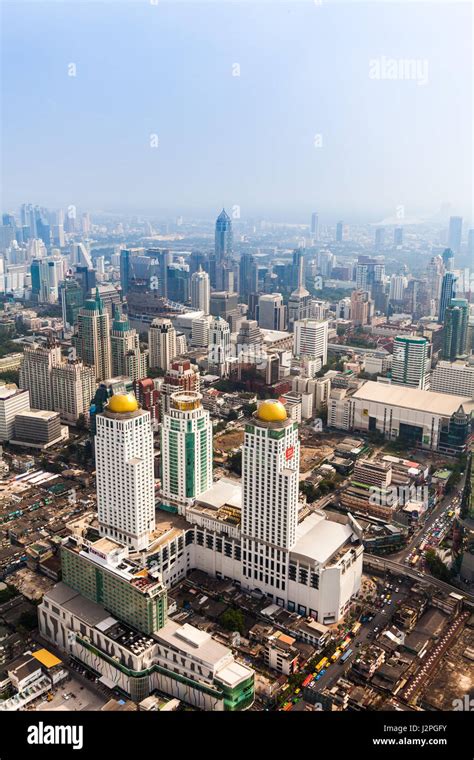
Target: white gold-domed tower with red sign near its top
270 474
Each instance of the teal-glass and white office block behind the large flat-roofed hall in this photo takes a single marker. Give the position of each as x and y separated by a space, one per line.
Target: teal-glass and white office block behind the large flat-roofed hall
411 362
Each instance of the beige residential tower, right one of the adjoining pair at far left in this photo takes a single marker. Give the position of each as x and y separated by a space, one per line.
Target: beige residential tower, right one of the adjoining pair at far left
73 387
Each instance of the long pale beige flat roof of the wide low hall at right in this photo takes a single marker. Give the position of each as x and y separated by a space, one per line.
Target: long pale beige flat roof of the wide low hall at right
412 398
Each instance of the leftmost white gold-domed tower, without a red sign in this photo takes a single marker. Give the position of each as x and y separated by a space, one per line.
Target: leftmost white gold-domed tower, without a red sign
124 472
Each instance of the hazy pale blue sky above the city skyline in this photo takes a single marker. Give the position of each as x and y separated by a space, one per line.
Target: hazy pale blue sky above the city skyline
314 121
